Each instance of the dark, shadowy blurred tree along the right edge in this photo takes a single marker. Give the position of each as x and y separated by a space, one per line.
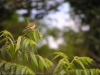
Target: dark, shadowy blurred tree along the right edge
91 16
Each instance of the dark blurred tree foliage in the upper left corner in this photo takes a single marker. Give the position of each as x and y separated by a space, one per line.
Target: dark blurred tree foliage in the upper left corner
8 8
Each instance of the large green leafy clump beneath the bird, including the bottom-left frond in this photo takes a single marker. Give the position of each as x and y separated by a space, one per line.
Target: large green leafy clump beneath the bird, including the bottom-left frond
21 51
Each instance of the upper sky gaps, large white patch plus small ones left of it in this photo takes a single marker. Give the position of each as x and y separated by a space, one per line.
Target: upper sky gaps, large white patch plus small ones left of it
59 19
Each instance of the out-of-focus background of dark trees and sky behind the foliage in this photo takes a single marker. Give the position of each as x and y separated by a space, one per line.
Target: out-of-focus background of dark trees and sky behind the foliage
69 26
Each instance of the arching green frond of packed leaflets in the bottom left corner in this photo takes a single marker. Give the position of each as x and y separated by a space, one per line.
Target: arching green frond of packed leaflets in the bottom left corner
14 69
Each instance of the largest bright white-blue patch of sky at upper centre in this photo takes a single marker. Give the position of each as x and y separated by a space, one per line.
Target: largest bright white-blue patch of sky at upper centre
61 18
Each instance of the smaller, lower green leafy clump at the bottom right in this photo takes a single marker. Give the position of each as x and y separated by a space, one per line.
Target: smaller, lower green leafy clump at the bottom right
66 67
